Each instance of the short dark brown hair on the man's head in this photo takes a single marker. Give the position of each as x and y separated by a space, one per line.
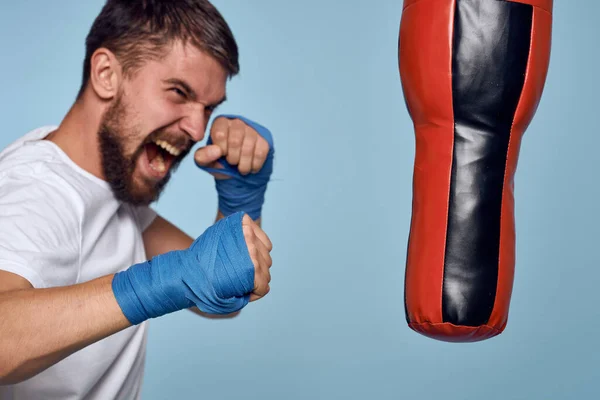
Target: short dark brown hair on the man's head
139 30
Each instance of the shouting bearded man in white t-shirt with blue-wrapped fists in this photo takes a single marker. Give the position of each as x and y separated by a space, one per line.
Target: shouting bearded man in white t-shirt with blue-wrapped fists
84 261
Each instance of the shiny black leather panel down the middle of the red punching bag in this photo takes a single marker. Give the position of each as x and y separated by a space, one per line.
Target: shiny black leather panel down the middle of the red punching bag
490 51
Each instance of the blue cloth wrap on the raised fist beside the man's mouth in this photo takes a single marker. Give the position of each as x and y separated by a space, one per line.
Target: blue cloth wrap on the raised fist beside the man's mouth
243 193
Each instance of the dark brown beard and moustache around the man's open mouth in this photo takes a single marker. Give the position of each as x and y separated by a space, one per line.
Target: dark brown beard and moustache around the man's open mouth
119 167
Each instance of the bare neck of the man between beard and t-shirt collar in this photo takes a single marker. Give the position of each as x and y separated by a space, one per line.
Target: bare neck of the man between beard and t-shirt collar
77 136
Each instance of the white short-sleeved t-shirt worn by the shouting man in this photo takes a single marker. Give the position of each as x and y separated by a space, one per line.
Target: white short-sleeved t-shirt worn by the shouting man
59 226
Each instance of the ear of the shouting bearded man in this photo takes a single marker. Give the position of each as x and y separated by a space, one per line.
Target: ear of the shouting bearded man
105 74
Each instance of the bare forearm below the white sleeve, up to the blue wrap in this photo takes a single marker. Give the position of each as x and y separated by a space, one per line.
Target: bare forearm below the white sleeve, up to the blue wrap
40 327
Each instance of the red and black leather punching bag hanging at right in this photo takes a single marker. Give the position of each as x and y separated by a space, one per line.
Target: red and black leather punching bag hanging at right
472 73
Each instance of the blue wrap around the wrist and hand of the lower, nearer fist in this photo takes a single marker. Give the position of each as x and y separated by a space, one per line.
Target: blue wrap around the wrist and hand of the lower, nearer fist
215 273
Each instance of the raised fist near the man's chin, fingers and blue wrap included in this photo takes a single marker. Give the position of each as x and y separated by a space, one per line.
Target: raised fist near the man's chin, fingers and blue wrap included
245 166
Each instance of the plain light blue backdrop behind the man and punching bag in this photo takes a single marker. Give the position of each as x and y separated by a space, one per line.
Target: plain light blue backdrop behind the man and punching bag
323 76
